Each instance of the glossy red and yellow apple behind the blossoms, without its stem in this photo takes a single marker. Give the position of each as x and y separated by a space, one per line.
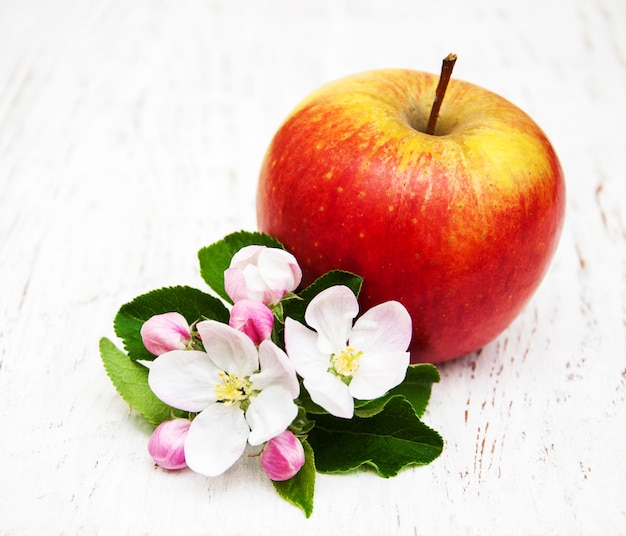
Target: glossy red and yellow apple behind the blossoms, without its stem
459 226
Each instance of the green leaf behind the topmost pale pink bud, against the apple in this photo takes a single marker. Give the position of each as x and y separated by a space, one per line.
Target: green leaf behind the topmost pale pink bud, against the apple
215 259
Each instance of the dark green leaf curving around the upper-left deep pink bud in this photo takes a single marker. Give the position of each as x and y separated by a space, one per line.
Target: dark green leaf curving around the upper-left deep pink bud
192 303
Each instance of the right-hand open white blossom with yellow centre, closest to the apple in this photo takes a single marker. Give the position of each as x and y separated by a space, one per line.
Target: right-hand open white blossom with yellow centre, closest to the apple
339 361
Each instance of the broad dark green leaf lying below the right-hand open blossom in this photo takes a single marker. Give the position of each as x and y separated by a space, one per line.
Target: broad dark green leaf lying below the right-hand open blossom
388 441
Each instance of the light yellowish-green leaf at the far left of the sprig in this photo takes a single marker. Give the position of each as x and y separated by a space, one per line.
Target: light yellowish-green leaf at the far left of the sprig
131 382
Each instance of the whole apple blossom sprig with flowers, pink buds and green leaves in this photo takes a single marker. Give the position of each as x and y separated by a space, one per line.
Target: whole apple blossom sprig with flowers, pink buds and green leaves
266 367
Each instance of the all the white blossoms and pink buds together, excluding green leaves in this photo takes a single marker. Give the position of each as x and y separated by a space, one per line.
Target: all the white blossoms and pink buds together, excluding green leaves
242 388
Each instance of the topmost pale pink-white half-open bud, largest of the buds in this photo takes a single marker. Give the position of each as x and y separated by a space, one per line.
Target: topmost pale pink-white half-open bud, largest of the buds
262 274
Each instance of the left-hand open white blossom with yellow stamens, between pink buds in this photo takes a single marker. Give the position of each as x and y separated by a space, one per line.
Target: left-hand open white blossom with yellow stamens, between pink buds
241 394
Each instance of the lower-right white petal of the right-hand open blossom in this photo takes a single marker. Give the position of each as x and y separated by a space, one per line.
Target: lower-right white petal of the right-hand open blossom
377 373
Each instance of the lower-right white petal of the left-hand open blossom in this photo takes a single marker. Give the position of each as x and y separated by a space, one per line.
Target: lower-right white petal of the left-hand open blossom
270 413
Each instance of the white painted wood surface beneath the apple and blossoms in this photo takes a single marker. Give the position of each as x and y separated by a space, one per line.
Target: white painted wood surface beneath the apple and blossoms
131 134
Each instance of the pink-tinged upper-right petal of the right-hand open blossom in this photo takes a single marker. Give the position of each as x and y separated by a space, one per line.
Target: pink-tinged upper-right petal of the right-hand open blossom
384 328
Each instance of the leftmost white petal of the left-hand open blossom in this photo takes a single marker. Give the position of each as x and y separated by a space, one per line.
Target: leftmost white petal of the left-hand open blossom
184 379
